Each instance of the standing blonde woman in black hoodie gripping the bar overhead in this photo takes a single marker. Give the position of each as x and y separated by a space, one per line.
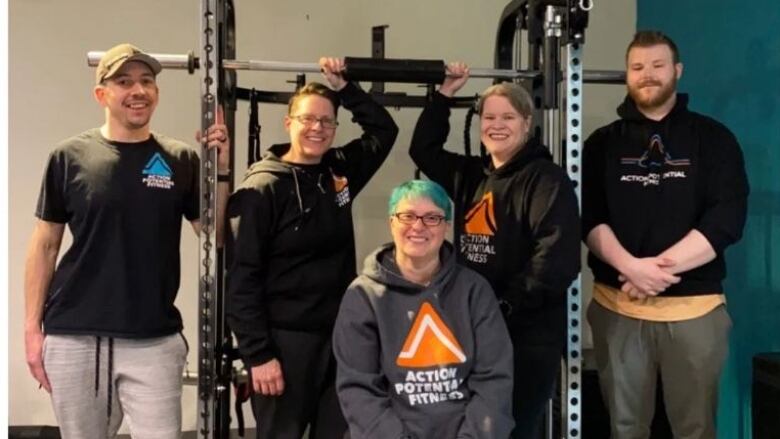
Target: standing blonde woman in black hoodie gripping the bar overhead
516 223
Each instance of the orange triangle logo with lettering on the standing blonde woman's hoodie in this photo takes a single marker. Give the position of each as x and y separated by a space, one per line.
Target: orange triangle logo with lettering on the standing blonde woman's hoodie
476 243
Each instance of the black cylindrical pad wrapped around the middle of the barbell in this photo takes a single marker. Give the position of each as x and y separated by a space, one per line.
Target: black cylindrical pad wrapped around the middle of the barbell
412 71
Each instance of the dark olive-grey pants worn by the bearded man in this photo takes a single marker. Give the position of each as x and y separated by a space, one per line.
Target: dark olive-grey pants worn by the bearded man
689 355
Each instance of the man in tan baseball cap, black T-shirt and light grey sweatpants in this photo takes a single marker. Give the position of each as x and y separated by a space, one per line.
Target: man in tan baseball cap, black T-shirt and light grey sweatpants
102 334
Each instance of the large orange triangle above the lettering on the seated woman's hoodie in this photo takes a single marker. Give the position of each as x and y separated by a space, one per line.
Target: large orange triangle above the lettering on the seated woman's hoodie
430 342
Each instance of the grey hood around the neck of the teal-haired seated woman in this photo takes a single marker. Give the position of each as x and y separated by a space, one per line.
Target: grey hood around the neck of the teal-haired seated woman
380 266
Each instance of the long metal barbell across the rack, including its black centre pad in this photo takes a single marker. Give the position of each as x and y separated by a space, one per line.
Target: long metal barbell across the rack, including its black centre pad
371 69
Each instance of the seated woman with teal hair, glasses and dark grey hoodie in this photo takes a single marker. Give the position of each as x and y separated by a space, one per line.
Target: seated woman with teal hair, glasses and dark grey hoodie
422 349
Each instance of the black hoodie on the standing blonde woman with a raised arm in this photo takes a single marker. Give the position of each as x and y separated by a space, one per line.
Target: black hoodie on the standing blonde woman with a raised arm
517 225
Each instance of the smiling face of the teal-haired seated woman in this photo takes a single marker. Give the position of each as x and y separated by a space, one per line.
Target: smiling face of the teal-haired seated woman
417 241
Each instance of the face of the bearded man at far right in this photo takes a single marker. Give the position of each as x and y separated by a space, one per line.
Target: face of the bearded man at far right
651 76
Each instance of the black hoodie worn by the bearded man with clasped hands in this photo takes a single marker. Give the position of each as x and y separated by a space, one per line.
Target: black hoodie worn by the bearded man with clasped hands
653 182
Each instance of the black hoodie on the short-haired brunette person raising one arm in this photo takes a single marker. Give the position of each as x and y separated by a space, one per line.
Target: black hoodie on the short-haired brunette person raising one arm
294 247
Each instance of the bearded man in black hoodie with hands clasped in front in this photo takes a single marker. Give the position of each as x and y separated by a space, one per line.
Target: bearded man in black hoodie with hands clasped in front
664 193
